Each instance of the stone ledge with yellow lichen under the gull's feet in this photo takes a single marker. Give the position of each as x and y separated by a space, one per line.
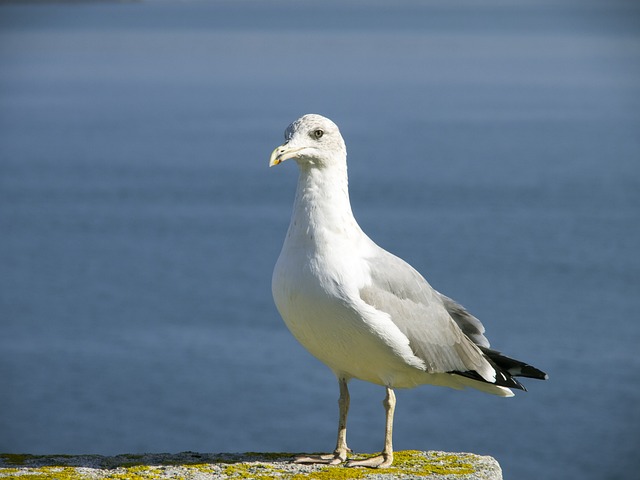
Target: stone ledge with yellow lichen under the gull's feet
259 466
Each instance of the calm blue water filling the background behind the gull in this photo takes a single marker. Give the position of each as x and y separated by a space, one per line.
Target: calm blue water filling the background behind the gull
494 145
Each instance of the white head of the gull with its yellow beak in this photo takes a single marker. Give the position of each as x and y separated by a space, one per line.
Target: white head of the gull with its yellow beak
313 141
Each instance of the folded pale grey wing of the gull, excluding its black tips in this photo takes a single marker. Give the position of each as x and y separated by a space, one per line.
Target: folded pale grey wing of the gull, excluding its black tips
422 315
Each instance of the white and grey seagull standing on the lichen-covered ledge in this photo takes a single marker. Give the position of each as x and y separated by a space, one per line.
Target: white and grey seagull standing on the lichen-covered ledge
361 310
